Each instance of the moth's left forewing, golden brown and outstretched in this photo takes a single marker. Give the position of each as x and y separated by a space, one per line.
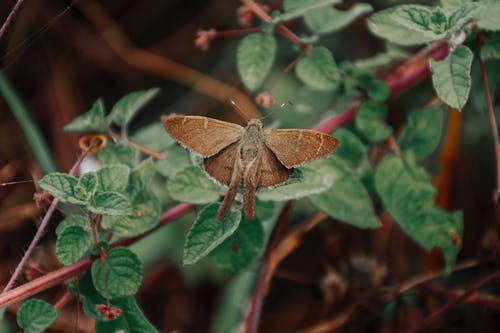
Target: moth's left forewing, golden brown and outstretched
206 136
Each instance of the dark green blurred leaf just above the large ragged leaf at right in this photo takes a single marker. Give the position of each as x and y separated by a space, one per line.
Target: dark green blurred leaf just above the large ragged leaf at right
422 133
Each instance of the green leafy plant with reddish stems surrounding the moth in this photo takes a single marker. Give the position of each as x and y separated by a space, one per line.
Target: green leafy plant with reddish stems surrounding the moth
378 167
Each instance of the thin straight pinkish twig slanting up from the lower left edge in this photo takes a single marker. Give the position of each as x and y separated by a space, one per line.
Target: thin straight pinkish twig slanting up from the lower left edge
40 231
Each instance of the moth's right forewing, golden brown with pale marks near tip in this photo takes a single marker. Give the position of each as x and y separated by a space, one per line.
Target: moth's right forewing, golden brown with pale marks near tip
293 147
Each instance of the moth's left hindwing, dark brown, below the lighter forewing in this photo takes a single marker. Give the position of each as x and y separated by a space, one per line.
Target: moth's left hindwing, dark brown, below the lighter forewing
220 166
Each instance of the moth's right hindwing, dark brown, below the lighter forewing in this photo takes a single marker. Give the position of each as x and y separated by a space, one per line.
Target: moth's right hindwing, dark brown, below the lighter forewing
272 172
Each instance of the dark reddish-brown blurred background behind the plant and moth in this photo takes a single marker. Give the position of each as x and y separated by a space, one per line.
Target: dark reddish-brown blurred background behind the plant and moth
57 56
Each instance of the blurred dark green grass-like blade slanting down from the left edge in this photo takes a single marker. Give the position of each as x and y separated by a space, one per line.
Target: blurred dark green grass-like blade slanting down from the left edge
31 131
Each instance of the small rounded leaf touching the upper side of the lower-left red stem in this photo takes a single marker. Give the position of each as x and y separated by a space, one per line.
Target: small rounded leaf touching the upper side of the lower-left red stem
72 244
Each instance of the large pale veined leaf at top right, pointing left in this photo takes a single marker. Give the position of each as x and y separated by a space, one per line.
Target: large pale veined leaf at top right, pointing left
408 24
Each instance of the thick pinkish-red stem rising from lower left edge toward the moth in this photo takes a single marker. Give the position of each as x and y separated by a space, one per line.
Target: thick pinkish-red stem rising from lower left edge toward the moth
54 278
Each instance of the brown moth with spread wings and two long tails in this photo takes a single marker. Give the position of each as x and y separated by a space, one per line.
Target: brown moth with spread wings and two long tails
261 158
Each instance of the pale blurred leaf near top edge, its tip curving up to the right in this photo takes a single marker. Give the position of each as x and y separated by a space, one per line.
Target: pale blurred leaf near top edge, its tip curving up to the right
328 19
